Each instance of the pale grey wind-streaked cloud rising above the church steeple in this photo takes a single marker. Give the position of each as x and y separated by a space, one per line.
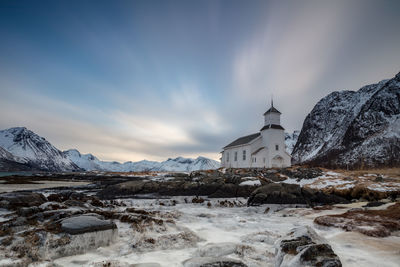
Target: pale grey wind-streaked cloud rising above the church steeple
289 54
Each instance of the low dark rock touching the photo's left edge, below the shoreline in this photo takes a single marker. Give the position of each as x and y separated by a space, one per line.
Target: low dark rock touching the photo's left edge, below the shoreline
16 200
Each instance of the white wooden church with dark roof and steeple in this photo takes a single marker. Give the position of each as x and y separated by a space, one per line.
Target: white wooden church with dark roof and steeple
265 149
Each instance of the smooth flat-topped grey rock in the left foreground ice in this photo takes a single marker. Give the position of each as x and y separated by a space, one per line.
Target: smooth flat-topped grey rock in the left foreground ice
84 223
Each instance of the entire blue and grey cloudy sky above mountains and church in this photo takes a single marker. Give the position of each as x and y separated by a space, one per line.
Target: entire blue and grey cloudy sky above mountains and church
133 80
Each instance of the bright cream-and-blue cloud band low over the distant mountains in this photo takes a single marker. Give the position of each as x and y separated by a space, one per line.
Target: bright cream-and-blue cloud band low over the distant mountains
172 127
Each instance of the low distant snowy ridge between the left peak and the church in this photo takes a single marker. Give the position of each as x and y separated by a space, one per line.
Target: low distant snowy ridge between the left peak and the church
90 163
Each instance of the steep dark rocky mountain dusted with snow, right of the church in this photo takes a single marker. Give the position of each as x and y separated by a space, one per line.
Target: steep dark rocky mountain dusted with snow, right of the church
353 128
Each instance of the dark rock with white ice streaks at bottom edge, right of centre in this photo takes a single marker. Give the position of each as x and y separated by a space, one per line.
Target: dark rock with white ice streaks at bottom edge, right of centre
304 247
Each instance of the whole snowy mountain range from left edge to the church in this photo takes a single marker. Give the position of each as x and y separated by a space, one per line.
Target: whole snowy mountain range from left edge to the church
23 150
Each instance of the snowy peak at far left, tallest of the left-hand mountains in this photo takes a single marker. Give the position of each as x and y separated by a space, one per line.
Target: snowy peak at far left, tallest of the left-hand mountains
26 147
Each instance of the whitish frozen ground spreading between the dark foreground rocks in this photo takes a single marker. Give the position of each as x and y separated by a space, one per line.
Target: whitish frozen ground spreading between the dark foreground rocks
244 233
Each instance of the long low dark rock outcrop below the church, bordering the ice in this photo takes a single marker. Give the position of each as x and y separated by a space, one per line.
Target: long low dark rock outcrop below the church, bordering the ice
281 193
